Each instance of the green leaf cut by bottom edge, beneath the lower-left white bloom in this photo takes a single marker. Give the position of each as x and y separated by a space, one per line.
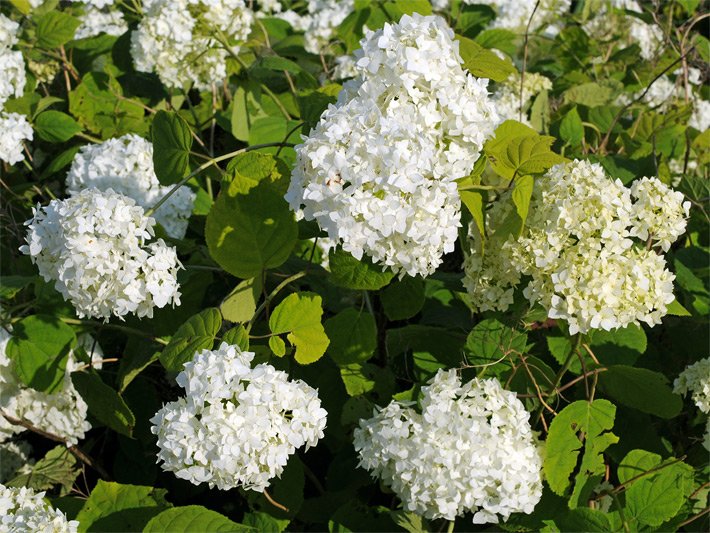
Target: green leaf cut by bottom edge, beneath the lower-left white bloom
191 518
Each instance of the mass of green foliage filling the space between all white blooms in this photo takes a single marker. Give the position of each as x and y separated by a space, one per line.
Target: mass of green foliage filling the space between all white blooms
253 278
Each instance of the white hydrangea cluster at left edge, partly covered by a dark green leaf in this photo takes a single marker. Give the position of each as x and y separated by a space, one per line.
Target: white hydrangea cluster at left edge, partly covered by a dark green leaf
62 413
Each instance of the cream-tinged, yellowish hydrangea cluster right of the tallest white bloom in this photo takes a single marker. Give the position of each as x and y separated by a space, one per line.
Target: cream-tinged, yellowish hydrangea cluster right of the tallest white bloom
579 251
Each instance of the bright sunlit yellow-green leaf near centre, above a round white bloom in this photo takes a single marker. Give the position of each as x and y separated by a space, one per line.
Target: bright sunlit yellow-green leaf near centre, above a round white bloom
299 315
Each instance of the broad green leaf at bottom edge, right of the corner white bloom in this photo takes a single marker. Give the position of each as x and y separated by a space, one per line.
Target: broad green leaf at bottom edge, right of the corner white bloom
116 507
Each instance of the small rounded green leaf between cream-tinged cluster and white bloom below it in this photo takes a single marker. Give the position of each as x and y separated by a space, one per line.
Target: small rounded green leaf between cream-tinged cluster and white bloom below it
491 342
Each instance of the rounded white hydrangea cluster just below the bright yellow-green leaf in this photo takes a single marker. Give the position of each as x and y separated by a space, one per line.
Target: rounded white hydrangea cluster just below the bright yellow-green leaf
237 425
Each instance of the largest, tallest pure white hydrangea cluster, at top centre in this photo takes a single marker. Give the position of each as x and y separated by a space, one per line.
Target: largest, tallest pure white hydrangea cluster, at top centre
378 171
